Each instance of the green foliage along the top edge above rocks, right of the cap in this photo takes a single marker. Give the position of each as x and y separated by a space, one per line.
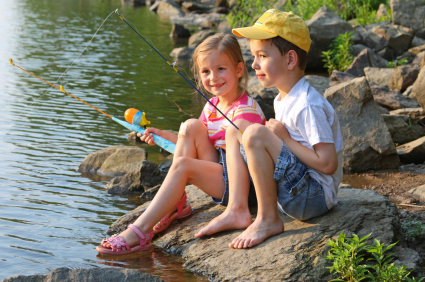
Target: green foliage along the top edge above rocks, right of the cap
360 11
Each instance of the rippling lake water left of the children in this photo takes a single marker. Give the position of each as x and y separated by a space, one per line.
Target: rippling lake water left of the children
50 215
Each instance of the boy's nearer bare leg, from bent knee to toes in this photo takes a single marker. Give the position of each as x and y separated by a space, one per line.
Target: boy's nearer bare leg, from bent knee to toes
262 149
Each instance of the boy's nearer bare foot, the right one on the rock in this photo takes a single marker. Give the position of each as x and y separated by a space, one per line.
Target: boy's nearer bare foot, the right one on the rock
256 233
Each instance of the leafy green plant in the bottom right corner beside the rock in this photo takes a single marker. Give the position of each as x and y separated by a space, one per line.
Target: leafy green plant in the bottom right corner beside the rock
348 254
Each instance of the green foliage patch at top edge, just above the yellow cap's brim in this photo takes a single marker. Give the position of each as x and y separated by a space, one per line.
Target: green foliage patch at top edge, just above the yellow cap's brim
246 12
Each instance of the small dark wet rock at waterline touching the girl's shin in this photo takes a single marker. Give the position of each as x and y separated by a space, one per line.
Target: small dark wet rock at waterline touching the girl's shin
147 176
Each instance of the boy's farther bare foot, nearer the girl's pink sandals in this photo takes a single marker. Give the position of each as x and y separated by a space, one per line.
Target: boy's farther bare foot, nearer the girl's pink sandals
229 219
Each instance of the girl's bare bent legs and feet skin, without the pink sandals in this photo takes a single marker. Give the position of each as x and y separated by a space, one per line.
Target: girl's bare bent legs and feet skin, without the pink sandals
206 174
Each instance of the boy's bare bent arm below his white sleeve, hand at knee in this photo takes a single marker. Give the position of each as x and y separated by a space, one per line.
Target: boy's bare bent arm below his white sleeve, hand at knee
322 159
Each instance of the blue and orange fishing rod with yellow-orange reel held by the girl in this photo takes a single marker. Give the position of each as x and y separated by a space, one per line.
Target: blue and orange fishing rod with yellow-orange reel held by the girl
135 119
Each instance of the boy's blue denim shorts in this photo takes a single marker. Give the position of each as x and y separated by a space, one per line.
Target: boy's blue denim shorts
299 195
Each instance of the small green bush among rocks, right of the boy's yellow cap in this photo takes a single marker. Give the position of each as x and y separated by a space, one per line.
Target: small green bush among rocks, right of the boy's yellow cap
339 57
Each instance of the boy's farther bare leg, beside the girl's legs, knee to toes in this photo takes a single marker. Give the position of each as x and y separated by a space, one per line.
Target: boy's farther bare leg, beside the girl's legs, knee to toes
236 215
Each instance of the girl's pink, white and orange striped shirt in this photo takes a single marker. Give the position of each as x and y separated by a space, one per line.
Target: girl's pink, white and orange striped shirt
243 108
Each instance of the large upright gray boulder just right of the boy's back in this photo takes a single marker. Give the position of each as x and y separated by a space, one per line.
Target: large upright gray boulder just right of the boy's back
367 141
